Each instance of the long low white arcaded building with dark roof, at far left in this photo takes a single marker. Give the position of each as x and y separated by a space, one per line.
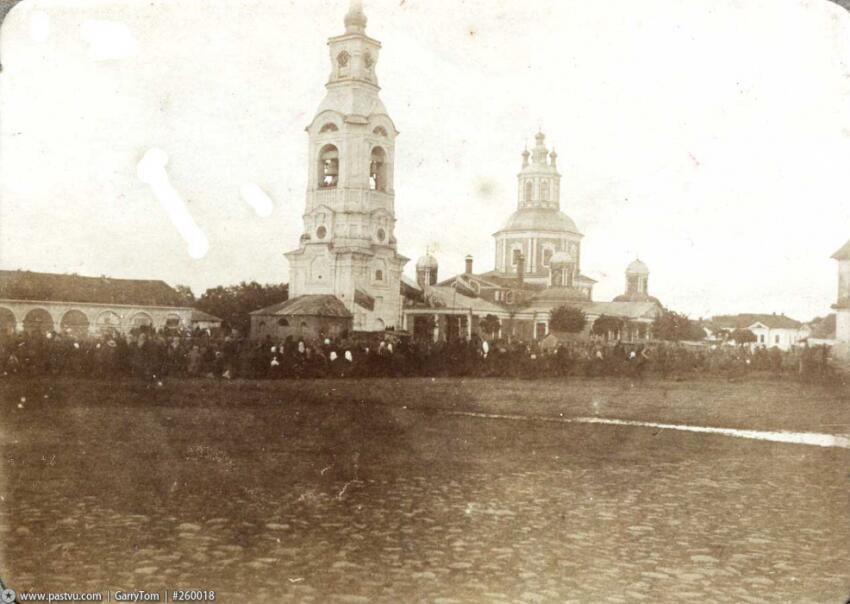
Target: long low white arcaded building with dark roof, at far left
48 302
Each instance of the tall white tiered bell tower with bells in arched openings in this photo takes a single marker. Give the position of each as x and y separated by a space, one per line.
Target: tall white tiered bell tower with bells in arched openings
348 248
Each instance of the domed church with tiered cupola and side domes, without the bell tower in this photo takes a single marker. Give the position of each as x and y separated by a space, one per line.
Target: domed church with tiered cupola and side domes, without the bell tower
537 269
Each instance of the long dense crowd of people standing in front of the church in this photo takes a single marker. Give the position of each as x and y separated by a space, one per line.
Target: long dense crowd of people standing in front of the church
156 355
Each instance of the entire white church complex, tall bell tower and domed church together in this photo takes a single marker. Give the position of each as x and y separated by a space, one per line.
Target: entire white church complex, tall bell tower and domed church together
346 273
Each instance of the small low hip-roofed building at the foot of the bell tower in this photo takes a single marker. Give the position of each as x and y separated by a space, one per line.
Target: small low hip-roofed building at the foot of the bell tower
309 317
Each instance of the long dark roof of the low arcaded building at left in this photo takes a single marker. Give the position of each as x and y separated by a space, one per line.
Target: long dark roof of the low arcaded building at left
54 287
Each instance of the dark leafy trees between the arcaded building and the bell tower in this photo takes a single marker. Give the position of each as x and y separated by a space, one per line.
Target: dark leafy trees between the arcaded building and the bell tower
234 303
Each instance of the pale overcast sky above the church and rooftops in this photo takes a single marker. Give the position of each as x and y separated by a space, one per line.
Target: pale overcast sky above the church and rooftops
711 138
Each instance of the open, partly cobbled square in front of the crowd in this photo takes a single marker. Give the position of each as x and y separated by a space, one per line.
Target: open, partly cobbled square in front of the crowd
372 491
